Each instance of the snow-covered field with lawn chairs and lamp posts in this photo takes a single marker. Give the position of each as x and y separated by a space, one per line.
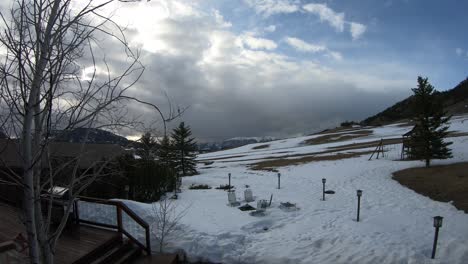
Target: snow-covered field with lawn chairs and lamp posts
395 225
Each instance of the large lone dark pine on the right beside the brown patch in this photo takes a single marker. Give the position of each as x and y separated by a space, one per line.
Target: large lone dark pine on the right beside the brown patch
427 140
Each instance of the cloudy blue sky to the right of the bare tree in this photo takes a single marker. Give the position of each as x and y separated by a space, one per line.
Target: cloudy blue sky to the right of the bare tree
290 67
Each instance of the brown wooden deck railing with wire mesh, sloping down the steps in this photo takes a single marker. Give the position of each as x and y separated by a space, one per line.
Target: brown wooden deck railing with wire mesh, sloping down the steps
114 215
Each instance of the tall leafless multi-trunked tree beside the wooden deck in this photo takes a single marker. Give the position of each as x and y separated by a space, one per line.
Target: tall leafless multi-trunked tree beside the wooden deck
46 46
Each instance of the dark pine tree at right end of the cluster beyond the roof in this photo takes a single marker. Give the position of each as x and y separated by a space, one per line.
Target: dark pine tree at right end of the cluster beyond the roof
184 150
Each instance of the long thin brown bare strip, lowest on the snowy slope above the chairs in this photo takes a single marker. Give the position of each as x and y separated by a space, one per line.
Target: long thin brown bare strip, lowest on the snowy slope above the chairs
271 165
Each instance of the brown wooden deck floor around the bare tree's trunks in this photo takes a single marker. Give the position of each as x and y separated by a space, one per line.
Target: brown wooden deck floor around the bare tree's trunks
72 245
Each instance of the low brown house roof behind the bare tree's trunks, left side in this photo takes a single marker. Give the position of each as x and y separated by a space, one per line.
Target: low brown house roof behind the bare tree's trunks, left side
85 154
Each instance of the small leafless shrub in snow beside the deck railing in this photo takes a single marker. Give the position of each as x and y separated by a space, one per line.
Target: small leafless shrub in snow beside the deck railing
165 221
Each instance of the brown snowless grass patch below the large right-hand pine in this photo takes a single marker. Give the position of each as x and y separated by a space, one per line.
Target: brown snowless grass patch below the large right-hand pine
441 183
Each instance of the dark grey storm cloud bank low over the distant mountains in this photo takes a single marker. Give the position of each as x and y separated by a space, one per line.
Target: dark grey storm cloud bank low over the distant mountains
240 104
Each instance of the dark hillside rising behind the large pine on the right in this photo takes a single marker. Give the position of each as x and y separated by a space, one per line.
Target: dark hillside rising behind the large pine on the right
455 101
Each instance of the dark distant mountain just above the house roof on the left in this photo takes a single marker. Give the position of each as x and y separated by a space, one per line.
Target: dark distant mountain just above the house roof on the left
95 136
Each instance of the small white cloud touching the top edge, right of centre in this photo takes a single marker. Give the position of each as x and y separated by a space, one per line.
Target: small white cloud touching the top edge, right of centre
271 7
